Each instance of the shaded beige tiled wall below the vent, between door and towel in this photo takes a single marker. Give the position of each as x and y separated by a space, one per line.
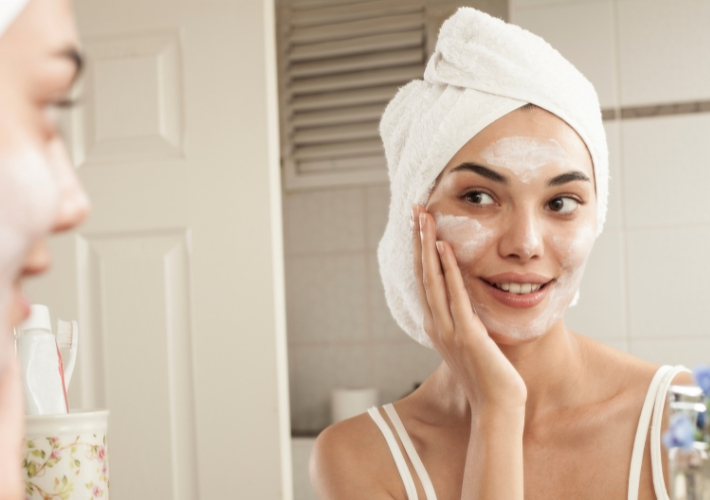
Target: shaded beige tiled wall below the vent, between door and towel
340 330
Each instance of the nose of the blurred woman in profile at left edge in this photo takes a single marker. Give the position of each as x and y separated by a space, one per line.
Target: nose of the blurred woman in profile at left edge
74 203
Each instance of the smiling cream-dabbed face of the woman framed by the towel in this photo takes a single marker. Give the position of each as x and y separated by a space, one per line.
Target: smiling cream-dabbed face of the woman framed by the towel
517 204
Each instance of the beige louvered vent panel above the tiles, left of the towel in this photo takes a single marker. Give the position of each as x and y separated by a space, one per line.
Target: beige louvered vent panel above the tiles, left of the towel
342 61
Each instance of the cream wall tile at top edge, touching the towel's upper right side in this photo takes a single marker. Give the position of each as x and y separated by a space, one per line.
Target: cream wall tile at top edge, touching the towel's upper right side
584 34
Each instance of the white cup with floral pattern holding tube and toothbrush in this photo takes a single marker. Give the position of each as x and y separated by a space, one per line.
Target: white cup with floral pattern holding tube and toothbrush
65 457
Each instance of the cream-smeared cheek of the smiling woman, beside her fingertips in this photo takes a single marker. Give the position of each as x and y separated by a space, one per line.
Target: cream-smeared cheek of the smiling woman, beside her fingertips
467 237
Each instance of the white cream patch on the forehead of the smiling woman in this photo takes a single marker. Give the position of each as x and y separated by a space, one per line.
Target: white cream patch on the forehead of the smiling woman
524 155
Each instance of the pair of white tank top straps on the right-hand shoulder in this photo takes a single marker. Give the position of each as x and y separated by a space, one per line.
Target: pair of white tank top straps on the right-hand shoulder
652 407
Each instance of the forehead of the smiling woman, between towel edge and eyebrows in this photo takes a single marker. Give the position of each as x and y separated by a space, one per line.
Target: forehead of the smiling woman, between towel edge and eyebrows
527 128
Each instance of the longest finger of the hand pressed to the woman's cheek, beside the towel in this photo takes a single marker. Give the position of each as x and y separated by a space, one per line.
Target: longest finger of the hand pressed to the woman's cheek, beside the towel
433 277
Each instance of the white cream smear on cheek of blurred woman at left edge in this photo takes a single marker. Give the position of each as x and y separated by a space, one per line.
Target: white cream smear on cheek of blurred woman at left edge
29 197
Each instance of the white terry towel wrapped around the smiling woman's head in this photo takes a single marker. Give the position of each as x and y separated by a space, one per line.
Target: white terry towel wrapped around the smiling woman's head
482 69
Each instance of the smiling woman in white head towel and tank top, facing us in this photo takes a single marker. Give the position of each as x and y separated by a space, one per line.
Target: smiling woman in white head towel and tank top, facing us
521 407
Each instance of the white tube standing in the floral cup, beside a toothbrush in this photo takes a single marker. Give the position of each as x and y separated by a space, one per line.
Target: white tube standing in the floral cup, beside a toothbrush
41 365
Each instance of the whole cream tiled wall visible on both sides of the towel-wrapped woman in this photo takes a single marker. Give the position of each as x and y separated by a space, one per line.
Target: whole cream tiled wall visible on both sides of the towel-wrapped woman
645 287
